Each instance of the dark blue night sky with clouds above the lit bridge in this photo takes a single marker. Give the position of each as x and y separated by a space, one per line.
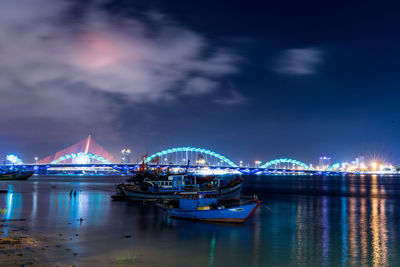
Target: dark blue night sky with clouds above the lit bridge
252 80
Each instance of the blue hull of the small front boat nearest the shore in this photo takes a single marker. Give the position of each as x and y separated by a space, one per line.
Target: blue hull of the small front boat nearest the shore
230 215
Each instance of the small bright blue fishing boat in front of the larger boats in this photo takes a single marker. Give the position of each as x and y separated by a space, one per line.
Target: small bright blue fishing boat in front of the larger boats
206 207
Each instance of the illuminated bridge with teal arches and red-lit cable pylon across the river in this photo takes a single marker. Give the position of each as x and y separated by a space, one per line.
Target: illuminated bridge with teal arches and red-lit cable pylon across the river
89 154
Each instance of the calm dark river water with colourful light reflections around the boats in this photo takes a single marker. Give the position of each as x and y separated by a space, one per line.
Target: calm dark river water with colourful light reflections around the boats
304 221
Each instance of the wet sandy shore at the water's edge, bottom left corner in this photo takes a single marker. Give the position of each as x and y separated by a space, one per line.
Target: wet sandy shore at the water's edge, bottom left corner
19 248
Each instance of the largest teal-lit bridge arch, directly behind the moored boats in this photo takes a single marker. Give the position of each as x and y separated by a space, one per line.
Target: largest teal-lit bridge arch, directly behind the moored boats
180 155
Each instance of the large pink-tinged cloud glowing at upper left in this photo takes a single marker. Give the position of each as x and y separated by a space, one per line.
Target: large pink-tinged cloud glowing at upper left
53 65
